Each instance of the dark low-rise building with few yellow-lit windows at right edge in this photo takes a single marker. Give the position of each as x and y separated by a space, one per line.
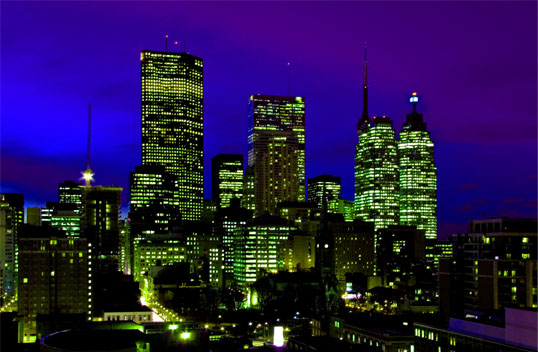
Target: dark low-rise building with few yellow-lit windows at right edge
494 266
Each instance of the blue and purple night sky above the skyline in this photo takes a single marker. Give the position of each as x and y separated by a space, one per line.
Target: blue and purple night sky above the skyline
472 63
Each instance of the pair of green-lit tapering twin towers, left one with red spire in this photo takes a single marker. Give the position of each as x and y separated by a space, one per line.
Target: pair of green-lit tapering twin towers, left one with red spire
395 181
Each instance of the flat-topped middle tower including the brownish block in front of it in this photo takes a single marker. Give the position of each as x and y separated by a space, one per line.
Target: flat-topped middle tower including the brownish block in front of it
276 149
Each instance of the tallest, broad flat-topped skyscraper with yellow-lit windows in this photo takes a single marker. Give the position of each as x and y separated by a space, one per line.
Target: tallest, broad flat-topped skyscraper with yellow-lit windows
172 123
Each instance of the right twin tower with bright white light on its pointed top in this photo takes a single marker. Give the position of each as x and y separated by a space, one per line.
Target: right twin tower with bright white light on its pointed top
418 175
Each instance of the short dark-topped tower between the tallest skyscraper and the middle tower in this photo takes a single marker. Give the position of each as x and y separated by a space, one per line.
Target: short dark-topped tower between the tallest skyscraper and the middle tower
226 178
